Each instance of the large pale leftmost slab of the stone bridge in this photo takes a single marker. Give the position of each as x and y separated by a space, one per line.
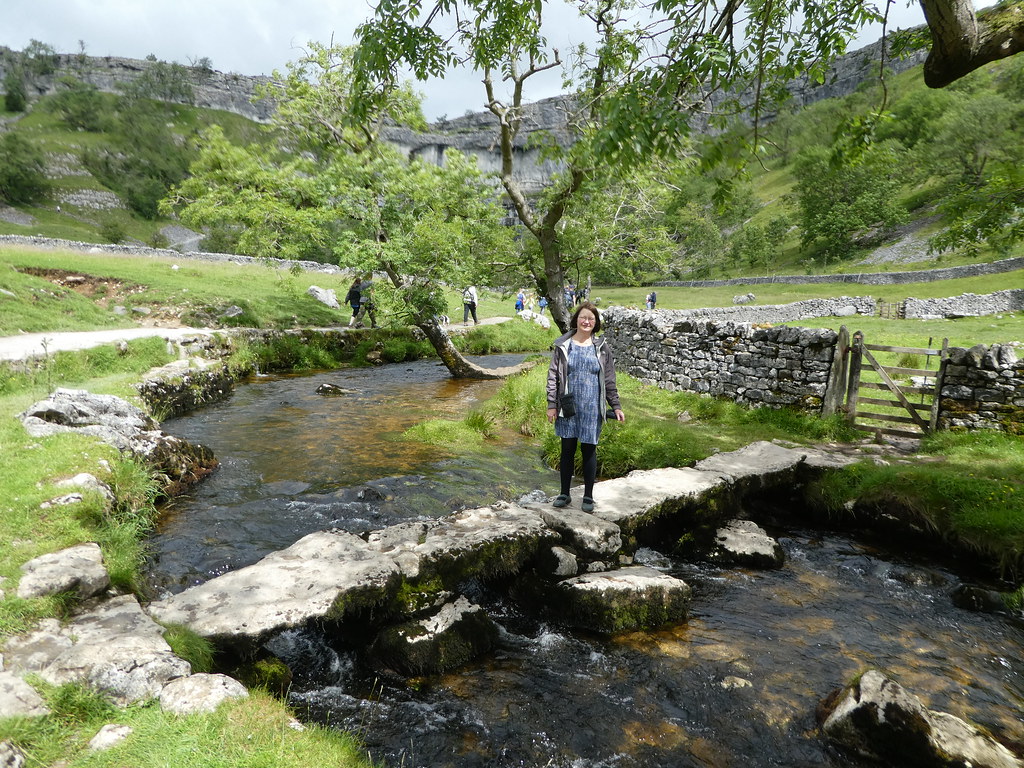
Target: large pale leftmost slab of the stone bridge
322 576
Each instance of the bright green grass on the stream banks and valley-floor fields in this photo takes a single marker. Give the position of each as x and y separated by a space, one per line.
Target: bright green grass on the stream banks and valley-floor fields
971 495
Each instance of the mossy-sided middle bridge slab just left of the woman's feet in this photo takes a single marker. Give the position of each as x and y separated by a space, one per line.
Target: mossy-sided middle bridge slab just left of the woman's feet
488 541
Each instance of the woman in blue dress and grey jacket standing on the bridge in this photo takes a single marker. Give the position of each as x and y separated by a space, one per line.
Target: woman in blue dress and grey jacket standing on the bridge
583 372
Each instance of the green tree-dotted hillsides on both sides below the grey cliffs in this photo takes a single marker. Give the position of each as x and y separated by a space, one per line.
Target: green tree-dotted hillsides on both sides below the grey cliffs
927 140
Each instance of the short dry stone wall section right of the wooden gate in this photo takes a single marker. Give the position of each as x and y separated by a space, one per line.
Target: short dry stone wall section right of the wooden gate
984 389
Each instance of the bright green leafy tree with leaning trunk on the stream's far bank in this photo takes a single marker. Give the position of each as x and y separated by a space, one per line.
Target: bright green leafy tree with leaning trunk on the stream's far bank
332 187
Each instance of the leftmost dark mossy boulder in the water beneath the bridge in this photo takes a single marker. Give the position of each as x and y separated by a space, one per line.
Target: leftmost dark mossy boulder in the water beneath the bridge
449 638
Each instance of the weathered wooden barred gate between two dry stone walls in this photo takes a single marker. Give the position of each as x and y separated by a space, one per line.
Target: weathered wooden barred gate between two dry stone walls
905 398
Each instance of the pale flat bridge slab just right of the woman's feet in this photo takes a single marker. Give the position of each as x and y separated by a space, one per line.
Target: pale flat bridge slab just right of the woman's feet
644 495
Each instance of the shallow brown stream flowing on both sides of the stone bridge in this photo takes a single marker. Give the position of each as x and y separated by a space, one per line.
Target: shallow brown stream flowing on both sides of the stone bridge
738 685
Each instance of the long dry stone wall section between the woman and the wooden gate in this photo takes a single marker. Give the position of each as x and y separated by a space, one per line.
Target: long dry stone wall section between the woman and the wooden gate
749 365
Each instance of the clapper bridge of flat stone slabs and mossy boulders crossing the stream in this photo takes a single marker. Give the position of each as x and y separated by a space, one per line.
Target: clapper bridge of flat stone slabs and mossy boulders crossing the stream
578 566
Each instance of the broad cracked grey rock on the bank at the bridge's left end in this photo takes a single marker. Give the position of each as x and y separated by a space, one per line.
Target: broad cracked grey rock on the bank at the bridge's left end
116 649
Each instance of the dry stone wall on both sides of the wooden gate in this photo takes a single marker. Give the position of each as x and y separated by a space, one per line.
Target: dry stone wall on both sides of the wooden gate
983 388
